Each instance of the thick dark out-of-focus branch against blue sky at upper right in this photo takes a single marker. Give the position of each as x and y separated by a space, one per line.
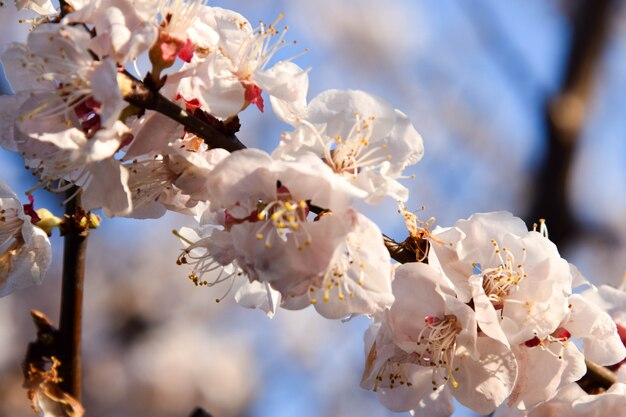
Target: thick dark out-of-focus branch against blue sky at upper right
565 114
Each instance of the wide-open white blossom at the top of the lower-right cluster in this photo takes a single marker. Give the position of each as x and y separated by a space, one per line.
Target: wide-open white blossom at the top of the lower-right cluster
516 279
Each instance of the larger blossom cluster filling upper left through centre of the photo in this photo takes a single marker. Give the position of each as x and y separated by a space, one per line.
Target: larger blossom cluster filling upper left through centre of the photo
279 229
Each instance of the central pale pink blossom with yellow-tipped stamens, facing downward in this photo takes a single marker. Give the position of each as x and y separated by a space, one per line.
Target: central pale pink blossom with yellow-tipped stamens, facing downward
267 203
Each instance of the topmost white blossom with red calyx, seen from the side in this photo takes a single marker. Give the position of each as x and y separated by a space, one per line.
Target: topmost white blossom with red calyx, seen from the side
233 72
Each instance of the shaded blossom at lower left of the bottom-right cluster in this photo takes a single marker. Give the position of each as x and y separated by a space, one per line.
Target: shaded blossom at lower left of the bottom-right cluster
427 349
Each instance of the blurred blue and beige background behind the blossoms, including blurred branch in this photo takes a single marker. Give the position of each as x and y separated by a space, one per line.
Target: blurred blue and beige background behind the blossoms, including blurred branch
521 106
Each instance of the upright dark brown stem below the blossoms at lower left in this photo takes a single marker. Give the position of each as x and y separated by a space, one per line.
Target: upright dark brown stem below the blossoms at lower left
70 323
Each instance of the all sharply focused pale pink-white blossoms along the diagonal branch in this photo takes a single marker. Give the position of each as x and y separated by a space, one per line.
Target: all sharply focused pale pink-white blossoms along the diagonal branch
488 313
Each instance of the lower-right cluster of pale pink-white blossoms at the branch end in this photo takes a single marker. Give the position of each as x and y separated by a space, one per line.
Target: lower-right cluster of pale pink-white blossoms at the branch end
491 317
